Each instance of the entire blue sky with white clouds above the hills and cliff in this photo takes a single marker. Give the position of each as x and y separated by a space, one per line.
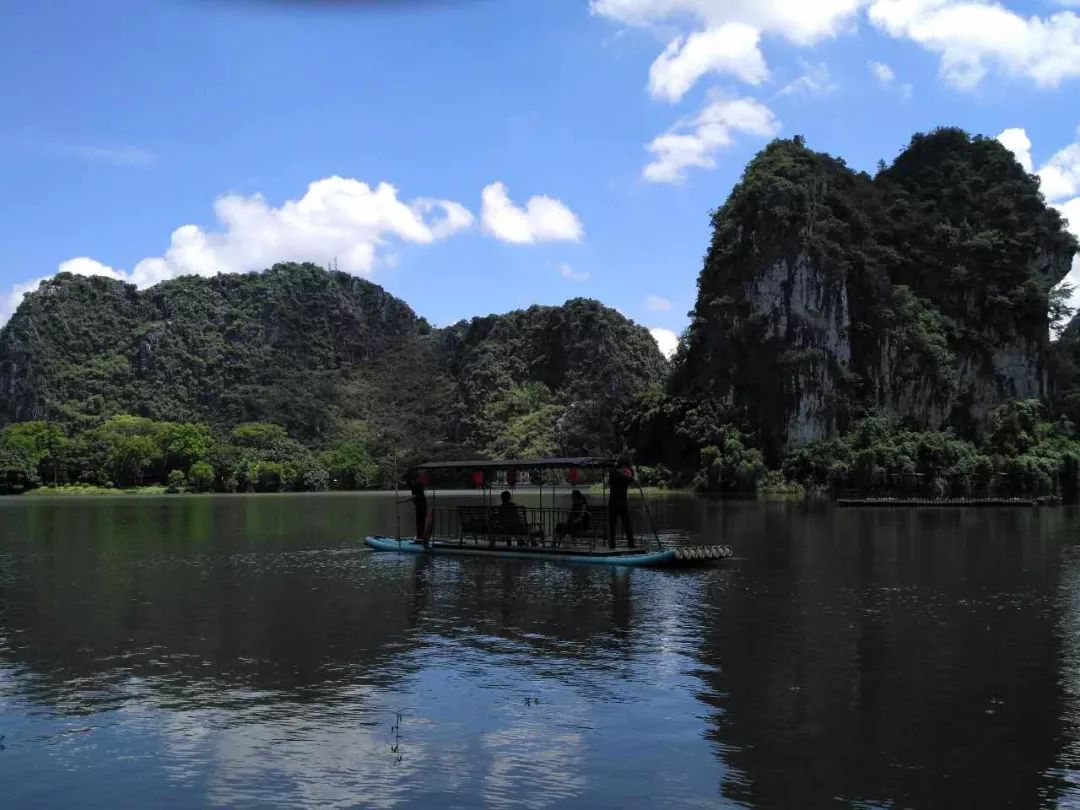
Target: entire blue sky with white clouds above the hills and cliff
481 156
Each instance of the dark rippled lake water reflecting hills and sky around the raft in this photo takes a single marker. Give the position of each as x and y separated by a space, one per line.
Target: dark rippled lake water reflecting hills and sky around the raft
247 651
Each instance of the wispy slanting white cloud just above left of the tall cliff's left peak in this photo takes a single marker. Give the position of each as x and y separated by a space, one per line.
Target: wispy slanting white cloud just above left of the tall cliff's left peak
694 144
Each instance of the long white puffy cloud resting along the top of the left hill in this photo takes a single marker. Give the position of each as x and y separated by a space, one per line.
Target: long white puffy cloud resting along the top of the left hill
337 219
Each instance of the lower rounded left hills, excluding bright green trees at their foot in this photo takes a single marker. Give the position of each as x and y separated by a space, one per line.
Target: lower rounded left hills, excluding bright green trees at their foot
315 352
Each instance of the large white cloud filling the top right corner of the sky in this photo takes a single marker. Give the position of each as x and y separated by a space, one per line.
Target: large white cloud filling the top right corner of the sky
973 36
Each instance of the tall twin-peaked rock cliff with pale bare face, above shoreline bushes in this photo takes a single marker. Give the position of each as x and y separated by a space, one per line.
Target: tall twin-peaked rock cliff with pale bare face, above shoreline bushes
924 290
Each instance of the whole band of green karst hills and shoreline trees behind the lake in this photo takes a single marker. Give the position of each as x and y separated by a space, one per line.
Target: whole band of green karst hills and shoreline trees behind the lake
886 334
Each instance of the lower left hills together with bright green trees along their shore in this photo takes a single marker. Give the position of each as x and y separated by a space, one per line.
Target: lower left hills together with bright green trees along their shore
345 383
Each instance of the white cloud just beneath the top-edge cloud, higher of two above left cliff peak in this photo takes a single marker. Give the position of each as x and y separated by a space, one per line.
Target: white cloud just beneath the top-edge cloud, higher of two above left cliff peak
728 49
